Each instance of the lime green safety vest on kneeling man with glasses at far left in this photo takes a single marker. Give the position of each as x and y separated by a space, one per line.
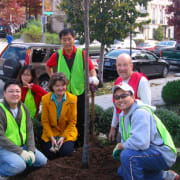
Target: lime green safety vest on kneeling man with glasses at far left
13 133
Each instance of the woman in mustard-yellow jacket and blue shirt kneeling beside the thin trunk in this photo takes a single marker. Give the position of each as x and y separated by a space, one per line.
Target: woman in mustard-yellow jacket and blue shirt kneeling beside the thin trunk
59 118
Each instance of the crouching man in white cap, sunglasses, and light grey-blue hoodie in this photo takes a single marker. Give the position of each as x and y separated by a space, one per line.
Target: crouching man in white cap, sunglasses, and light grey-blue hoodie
146 149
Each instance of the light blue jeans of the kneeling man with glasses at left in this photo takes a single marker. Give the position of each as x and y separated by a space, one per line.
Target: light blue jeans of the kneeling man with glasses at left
12 163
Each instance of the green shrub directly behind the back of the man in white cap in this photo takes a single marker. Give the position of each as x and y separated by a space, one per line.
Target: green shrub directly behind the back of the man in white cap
172 122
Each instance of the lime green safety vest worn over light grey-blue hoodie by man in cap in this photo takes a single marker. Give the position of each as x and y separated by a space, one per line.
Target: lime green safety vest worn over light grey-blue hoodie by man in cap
160 126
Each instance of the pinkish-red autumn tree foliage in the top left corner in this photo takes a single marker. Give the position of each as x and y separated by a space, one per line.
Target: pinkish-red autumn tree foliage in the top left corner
11 12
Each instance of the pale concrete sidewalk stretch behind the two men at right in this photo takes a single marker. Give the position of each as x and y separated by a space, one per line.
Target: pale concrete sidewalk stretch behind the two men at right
105 101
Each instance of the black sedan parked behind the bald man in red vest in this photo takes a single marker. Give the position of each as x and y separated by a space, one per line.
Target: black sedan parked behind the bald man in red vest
143 61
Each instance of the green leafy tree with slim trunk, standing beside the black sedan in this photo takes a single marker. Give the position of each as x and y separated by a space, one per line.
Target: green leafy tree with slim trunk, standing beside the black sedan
109 20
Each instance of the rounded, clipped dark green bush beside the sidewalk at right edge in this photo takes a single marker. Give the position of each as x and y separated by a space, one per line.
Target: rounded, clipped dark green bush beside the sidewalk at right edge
170 92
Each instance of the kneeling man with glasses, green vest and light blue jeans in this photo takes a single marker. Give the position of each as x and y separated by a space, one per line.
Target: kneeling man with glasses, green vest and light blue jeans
17 146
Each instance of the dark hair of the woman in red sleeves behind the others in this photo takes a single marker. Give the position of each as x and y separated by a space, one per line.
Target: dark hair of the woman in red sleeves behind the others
32 71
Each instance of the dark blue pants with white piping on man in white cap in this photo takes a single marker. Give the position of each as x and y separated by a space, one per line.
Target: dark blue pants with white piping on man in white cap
141 165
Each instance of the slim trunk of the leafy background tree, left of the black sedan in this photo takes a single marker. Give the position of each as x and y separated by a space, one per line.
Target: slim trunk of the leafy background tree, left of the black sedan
101 64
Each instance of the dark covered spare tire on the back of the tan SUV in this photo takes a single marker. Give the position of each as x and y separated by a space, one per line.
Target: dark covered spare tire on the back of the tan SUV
11 68
